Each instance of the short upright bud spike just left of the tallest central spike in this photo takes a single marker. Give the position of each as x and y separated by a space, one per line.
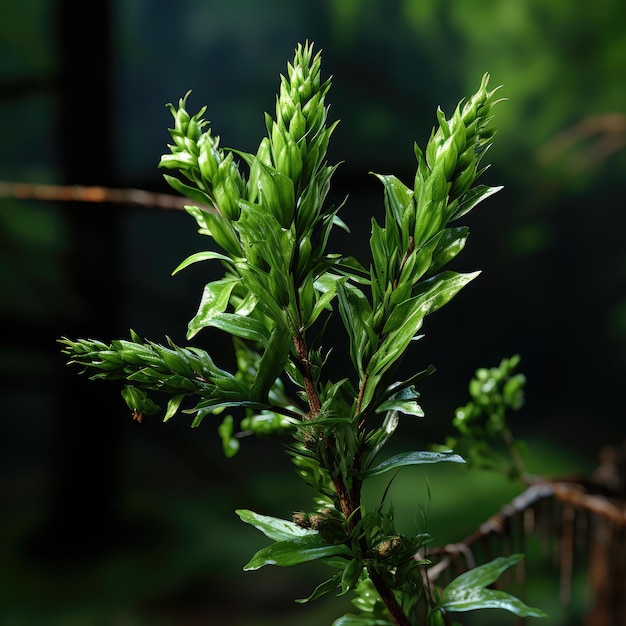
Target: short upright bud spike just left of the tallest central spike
196 154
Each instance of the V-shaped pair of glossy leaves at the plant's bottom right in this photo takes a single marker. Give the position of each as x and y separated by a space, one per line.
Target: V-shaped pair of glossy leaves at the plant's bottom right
467 592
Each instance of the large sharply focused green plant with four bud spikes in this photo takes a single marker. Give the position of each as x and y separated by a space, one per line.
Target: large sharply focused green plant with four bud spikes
279 289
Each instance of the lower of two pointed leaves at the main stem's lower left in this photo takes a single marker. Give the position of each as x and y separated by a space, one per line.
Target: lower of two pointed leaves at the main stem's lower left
287 553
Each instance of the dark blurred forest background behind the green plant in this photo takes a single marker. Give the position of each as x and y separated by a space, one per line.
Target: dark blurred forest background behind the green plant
108 522
